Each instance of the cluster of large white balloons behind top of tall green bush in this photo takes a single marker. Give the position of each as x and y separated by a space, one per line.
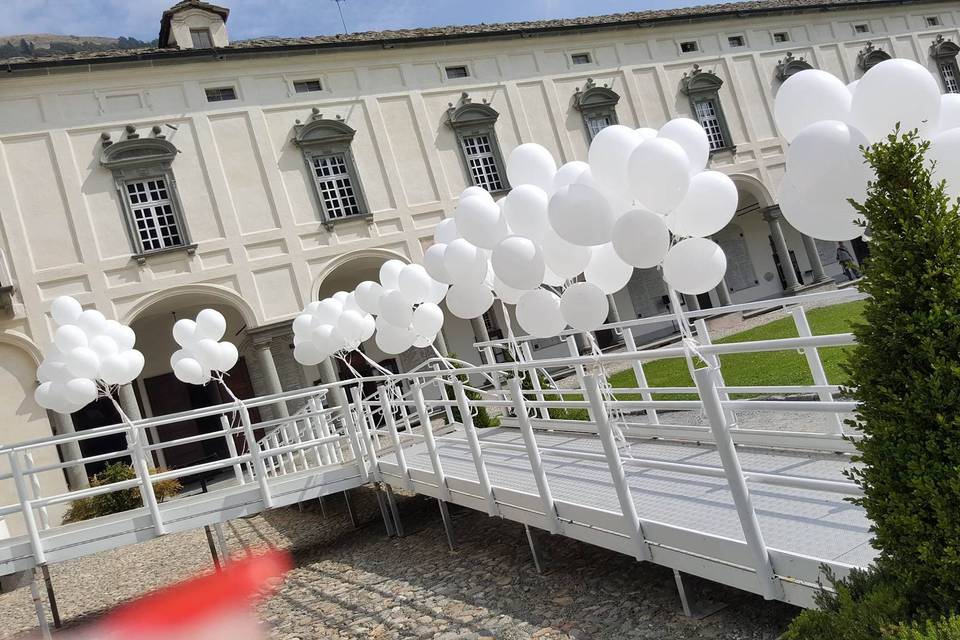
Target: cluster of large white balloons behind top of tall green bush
826 122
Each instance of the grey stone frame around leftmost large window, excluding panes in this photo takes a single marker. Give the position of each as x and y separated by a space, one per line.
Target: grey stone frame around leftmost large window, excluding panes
136 159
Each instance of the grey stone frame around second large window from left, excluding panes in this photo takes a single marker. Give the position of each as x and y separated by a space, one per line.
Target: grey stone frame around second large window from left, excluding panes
320 137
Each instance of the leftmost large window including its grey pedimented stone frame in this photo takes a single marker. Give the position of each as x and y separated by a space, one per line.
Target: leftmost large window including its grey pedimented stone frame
144 179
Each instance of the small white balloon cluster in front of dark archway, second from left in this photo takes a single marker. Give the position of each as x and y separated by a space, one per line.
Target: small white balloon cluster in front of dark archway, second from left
202 356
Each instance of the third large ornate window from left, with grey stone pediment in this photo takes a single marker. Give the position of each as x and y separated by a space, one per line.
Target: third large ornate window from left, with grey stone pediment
475 128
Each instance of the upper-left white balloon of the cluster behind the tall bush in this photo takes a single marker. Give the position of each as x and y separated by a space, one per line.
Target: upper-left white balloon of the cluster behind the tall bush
809 96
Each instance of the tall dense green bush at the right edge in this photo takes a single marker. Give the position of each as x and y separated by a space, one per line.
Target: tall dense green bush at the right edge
905 375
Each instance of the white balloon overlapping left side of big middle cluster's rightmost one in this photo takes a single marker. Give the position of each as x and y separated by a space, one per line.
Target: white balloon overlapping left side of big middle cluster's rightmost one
659 174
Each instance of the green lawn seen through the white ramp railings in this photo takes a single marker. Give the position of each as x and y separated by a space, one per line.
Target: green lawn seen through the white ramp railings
772 368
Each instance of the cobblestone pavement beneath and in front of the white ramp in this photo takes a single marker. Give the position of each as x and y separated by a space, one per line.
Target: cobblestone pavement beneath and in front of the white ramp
357 583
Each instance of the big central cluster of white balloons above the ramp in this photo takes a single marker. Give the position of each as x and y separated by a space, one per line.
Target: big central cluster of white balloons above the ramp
599 219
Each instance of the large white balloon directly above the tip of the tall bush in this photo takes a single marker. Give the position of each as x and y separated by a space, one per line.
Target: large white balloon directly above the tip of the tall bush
895 91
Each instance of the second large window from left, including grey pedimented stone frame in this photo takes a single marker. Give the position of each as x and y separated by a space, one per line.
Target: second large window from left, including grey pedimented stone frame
326 151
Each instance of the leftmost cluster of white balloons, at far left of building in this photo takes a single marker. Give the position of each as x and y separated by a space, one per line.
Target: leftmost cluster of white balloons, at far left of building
89 354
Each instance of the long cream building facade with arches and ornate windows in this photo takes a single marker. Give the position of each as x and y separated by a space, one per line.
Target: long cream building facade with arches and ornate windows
257 176
